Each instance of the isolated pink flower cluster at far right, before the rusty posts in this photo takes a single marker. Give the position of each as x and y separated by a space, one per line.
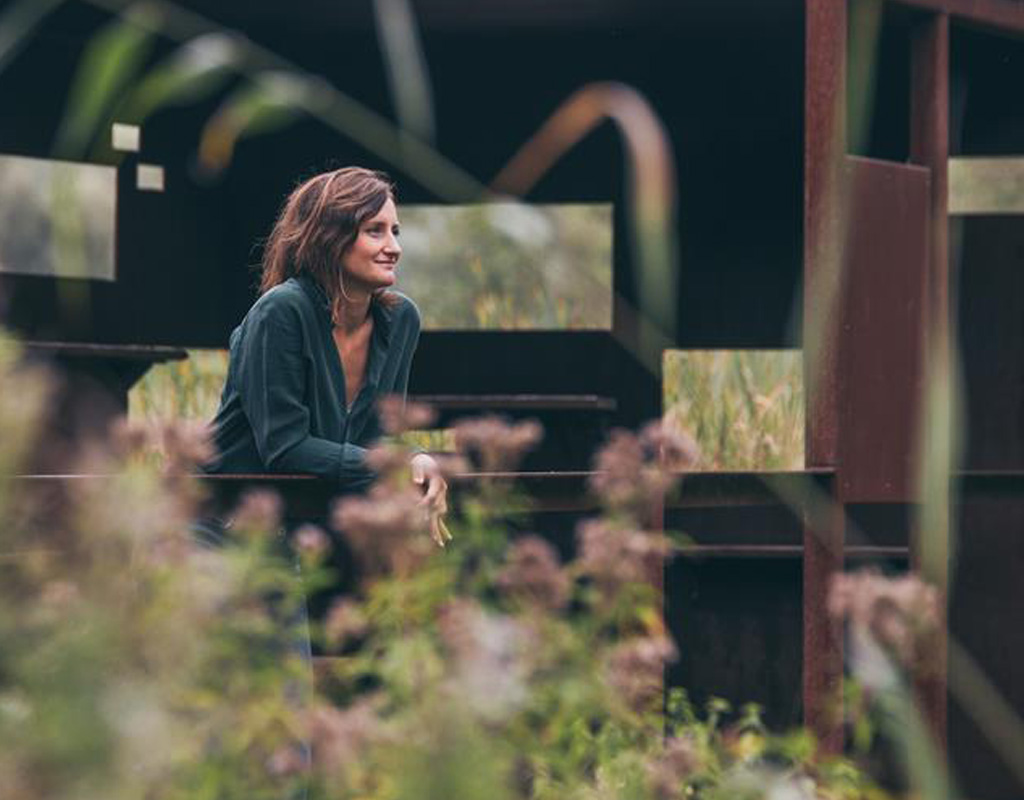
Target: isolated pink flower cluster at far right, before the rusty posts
901 614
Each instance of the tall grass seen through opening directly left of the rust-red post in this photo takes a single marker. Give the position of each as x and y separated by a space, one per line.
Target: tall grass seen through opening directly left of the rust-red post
745 408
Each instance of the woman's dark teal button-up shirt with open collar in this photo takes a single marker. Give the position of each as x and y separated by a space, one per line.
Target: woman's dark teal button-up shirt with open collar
283 409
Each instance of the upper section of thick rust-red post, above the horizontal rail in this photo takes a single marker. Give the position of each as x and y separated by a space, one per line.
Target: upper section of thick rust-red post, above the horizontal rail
825 147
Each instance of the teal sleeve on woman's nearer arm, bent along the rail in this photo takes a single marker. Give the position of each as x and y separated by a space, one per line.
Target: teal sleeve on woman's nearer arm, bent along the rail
272 385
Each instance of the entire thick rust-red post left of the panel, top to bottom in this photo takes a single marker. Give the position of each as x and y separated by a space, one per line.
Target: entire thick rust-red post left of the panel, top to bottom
825 148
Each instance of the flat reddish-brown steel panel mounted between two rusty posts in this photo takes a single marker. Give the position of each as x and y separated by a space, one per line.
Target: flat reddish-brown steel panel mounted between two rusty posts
881 347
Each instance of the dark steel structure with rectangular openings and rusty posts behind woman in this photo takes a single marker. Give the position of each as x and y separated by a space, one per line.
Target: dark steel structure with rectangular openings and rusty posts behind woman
813 212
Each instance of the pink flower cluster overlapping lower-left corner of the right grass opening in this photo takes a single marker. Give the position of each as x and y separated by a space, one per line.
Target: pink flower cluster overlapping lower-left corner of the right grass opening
632 473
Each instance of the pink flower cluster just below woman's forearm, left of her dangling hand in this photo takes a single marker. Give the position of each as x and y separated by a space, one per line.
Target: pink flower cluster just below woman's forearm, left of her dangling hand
387 529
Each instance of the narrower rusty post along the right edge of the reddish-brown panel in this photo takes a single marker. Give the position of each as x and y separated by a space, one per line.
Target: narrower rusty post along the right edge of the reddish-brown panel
930 148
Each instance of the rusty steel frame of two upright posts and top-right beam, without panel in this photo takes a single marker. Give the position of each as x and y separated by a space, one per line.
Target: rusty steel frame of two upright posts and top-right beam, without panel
826 231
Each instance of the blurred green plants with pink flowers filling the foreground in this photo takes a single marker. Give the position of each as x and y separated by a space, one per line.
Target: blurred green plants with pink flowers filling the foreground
138 663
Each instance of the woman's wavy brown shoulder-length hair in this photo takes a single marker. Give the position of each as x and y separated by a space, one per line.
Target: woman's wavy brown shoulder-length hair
319 223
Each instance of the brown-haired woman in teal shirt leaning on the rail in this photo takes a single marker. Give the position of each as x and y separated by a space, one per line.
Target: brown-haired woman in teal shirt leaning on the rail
326 340
